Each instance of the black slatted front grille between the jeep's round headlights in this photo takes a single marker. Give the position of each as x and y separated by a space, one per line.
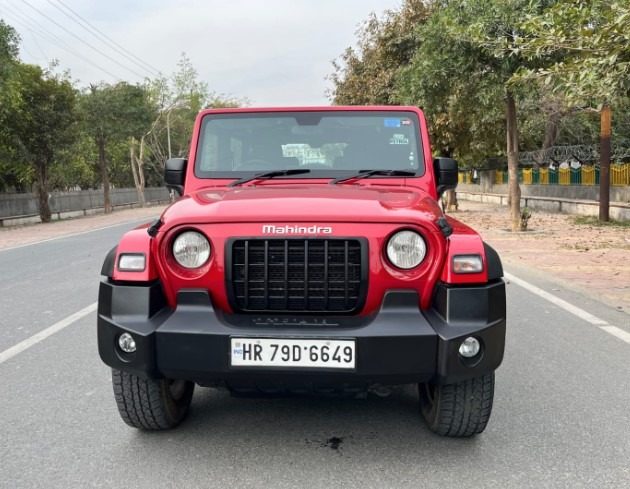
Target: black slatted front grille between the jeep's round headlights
297 275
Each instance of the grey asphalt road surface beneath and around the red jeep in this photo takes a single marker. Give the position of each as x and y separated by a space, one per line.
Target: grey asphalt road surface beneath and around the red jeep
561 416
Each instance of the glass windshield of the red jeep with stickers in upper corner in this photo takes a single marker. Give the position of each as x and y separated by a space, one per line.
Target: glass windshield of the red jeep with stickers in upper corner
329 144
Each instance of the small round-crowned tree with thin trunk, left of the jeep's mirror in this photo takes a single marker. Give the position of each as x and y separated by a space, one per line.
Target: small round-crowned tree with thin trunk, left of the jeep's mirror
111 114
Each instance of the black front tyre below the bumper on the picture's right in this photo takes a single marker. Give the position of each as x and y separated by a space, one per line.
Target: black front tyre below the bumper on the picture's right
460 409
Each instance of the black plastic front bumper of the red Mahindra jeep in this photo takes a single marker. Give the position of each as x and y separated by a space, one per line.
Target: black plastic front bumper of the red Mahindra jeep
399 344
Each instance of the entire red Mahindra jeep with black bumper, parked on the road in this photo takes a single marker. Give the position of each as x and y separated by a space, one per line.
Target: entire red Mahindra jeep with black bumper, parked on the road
307 253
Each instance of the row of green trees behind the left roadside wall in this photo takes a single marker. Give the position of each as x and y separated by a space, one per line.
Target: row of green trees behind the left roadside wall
71 139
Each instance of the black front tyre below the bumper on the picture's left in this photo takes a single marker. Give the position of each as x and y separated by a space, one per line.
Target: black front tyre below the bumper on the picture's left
151 404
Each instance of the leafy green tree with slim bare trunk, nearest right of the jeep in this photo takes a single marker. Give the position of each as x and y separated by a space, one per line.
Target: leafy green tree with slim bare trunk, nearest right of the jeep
470 61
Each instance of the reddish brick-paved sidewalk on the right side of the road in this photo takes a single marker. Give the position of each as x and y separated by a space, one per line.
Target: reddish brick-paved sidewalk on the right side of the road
589 258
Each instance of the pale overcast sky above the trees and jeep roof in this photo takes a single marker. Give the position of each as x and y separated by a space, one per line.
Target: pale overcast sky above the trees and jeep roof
273 52
